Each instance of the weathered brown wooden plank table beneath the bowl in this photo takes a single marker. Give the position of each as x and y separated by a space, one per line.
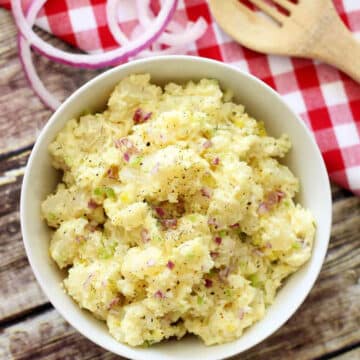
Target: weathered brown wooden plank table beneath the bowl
327 326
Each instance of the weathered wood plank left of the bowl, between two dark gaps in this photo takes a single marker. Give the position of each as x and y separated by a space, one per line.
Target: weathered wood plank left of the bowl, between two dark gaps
19 292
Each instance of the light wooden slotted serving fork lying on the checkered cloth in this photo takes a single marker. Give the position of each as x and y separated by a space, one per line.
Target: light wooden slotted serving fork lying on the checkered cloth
310 29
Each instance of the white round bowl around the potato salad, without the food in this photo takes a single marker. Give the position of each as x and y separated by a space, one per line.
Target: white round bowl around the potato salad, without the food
263 103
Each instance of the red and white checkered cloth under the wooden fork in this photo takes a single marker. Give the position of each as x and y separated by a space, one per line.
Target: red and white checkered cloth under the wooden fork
327 100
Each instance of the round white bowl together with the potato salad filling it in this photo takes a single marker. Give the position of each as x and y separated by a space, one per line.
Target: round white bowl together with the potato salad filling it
175 207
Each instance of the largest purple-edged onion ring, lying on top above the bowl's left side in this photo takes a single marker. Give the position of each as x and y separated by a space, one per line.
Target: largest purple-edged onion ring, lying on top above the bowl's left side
94 60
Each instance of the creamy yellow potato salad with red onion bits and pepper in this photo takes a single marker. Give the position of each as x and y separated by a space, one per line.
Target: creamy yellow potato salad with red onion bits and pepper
174 214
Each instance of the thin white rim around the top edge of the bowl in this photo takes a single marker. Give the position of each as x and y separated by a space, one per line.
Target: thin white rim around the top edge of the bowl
132 352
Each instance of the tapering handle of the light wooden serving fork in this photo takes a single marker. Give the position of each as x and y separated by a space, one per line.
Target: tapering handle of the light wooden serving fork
337 46
